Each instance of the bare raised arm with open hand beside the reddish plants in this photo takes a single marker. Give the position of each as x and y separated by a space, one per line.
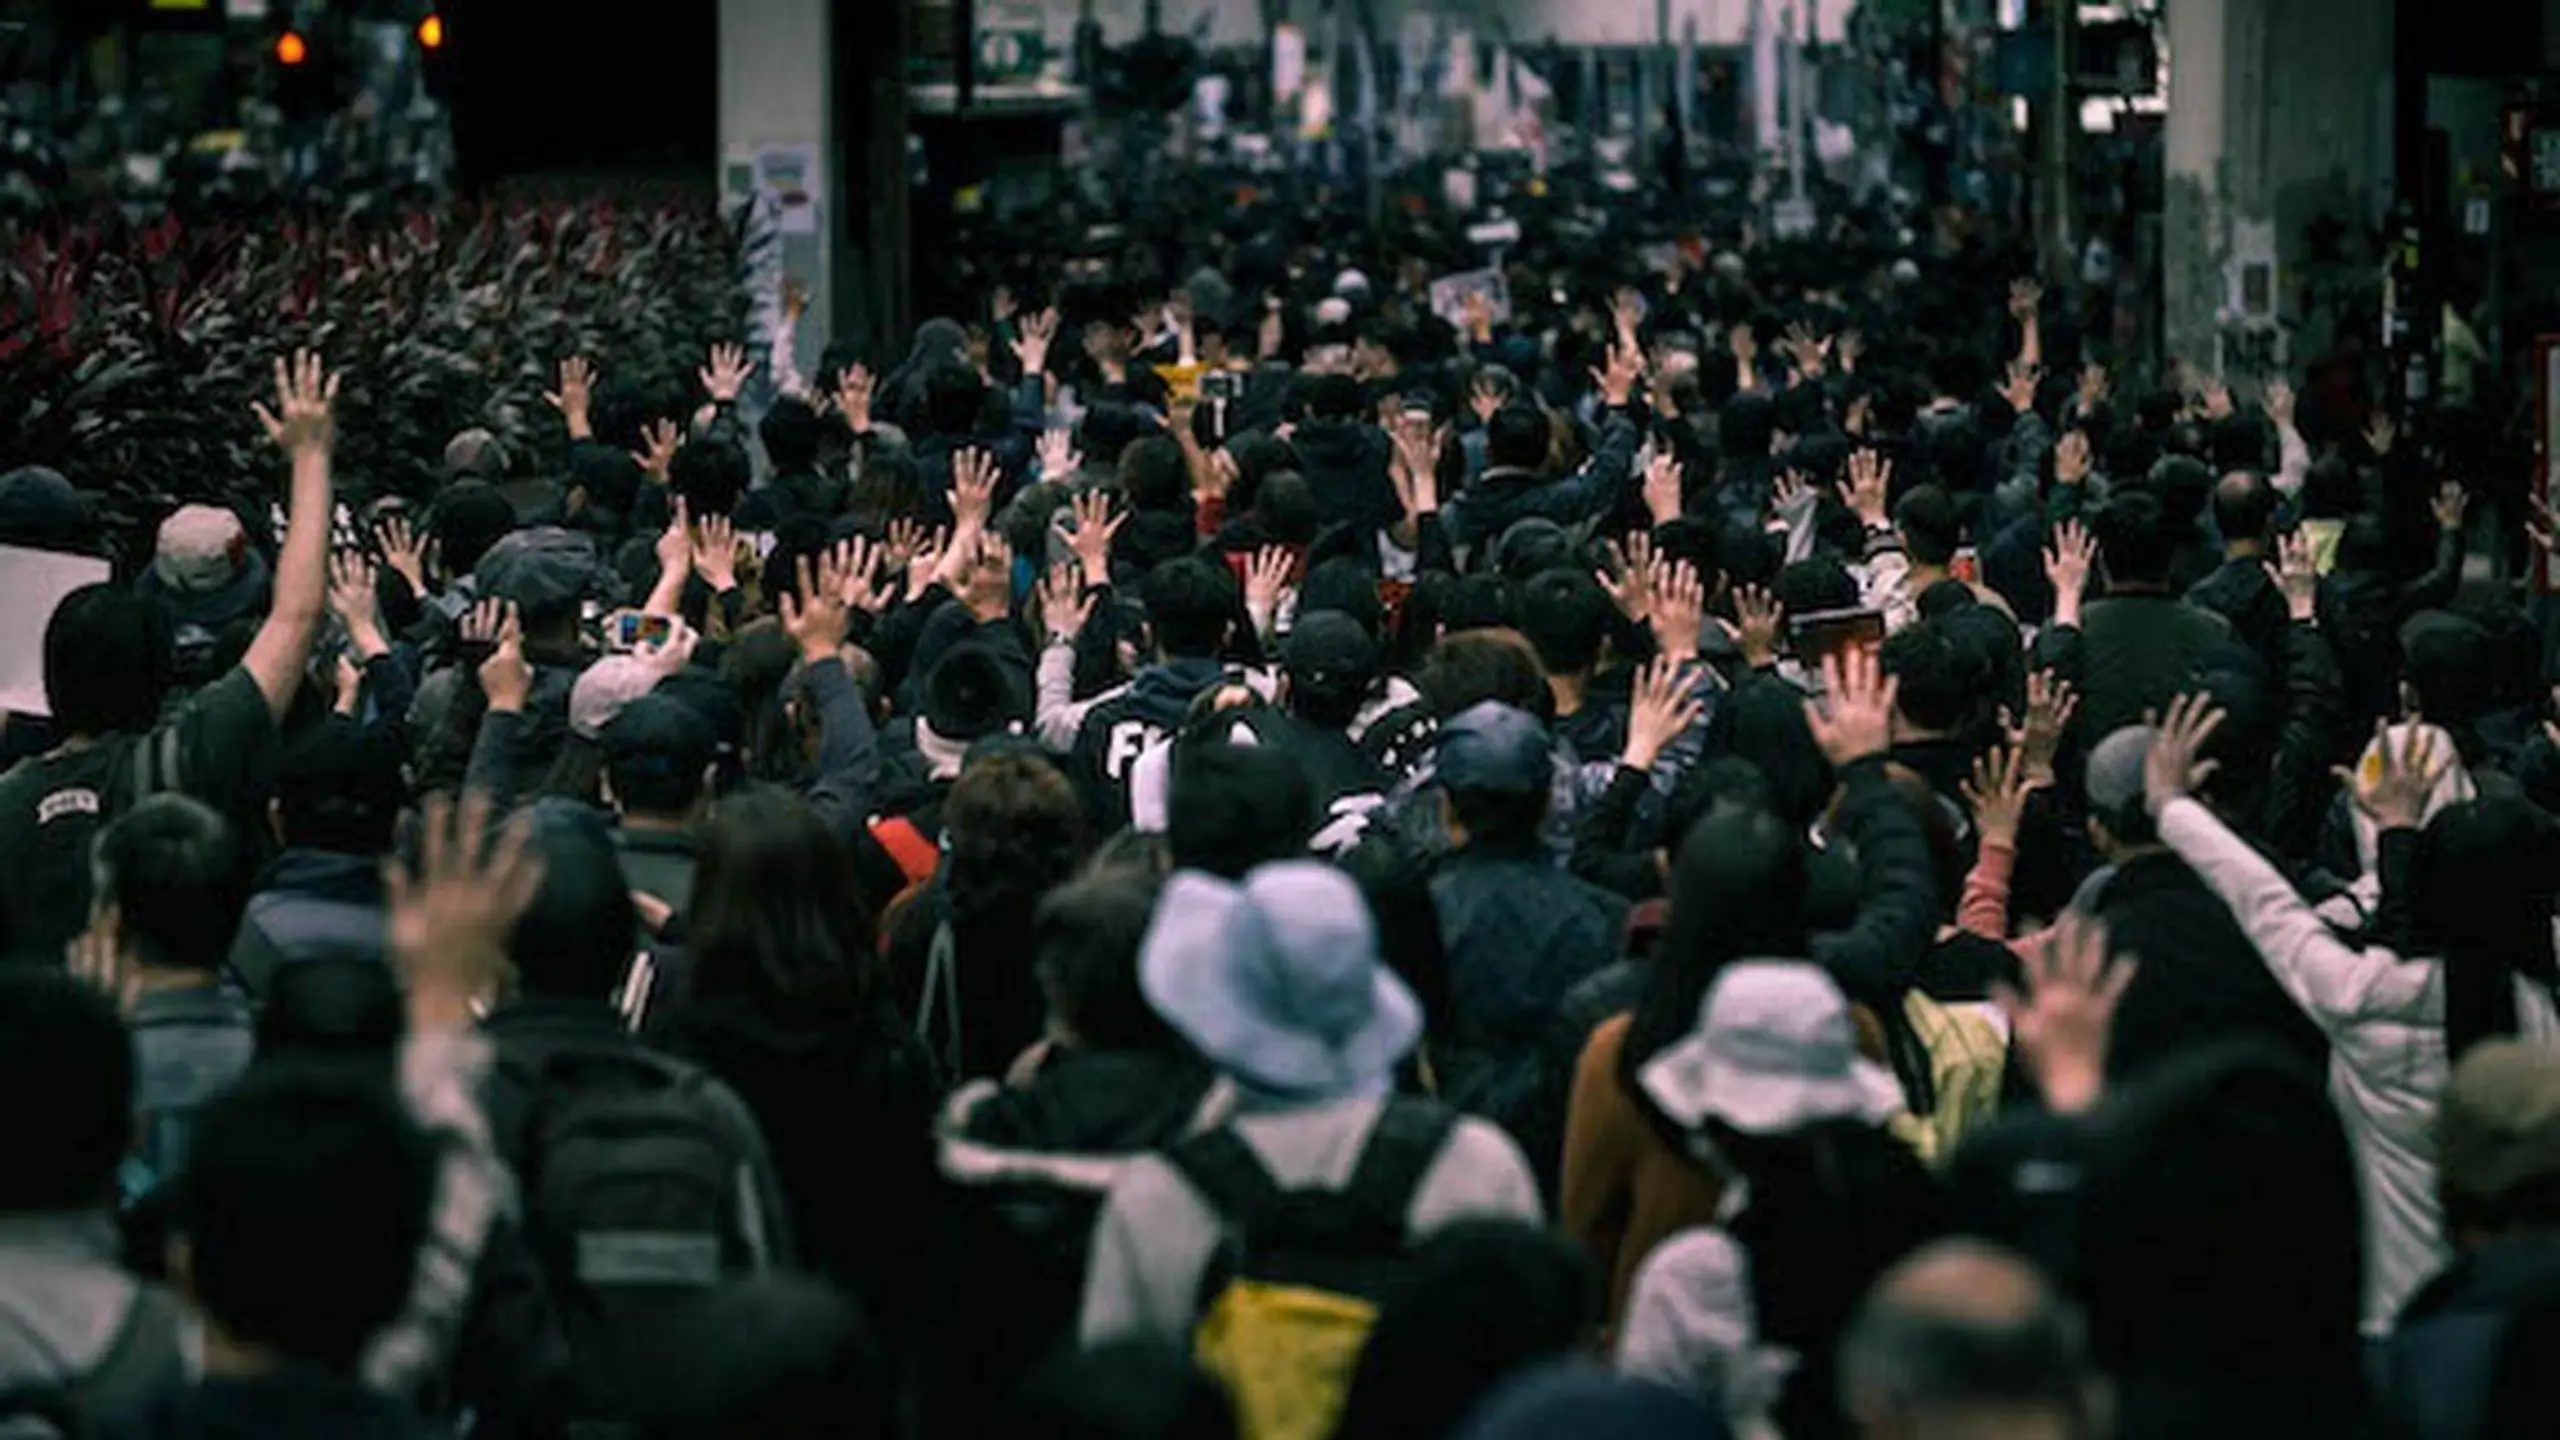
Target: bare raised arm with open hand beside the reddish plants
303 429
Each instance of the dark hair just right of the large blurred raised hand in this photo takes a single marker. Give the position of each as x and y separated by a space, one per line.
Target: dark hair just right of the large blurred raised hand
577 937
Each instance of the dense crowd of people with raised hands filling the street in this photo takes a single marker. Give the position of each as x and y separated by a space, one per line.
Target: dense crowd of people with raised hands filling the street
1740 844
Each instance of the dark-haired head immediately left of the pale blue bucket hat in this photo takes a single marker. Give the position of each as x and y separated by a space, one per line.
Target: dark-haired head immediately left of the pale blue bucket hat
1087 937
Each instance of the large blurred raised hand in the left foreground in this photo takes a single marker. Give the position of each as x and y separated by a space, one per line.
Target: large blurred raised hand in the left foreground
449 916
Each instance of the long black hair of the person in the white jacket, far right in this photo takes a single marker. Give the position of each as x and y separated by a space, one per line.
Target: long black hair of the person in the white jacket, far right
2487 878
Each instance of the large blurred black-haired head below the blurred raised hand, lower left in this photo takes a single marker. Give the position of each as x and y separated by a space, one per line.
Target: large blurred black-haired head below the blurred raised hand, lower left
308 1198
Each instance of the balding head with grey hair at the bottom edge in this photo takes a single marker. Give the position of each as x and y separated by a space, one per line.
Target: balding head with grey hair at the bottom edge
1967 1341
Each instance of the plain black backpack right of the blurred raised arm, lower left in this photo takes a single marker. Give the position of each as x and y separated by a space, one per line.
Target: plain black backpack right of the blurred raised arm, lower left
639 1198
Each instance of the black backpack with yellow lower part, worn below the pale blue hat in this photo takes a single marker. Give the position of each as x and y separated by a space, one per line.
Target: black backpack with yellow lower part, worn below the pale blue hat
1294 1290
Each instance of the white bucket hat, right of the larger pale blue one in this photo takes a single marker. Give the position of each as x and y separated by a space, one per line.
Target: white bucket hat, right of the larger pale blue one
1773 1052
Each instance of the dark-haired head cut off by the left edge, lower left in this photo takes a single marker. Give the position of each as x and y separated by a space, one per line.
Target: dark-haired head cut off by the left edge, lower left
68 1062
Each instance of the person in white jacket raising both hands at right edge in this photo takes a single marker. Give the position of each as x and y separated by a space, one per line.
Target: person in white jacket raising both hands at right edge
2472 962
